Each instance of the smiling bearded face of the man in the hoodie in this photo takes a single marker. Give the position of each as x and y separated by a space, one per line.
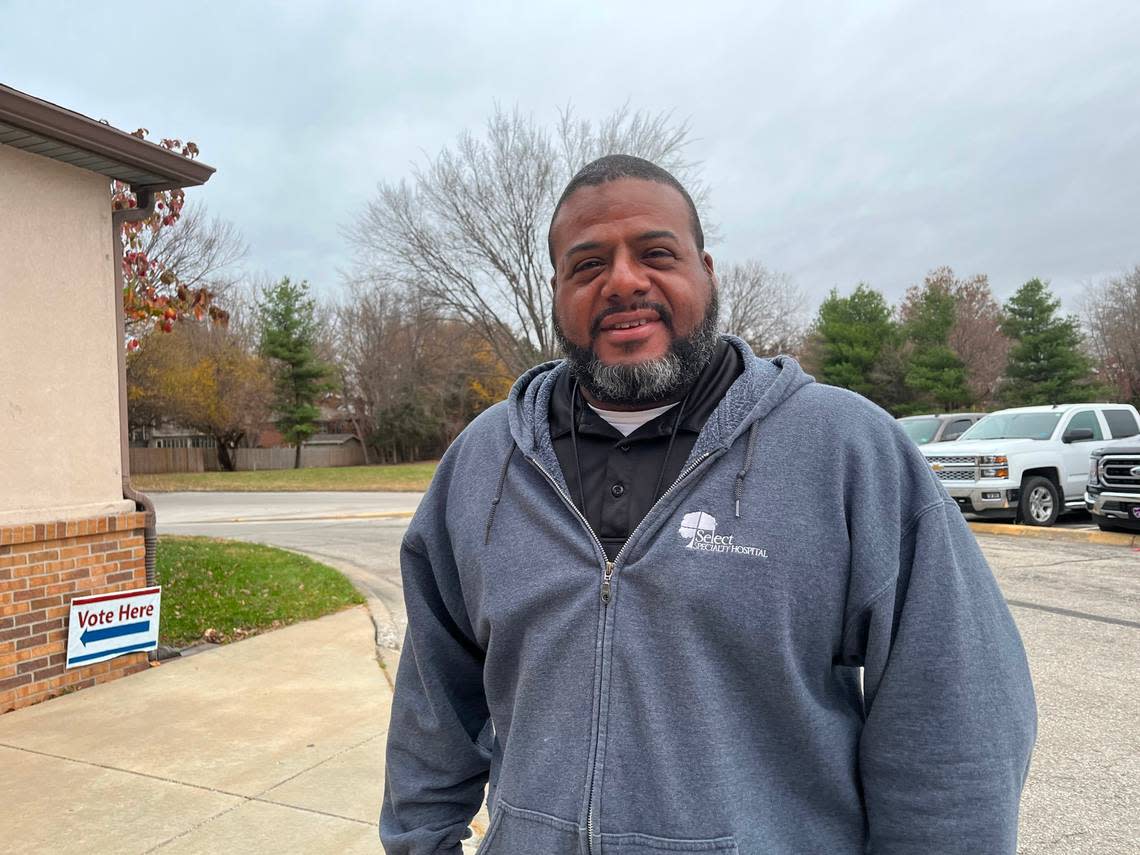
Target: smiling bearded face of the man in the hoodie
636 304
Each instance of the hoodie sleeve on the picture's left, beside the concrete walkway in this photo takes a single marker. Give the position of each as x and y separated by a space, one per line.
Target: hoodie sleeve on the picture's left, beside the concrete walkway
436 768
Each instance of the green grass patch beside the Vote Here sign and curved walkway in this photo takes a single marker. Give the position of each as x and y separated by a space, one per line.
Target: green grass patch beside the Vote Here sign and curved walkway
240 590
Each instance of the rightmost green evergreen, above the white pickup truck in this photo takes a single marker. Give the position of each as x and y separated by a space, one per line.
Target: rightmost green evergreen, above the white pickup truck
1047 364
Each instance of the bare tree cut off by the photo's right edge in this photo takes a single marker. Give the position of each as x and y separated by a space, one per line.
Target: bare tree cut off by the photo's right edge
1112 315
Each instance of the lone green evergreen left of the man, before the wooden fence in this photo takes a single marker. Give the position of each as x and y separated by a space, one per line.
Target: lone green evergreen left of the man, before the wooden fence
289 338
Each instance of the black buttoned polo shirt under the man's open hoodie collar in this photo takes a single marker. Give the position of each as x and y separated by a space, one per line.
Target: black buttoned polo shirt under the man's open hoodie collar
620 474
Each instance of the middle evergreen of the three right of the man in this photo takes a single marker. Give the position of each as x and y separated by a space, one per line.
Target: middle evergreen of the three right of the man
934 369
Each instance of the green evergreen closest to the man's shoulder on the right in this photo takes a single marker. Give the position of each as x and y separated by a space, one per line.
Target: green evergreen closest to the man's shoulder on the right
853 333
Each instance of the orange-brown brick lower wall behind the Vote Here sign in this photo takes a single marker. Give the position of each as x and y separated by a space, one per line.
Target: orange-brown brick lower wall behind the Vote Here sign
42 568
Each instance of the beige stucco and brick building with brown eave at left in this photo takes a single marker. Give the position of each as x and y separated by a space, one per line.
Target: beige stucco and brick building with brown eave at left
70 524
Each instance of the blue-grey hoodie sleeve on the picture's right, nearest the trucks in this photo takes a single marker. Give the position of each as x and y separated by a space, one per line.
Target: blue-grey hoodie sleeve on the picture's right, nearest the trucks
950 711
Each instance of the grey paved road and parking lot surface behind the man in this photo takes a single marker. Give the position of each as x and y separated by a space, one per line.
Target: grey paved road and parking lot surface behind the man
1078 607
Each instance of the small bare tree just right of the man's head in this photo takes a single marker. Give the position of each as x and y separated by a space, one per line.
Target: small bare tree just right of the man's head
762 307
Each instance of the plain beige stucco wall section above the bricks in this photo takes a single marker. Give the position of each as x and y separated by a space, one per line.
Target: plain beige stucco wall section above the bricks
60 439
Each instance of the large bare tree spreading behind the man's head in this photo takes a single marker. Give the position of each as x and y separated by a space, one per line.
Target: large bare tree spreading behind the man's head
468 231
